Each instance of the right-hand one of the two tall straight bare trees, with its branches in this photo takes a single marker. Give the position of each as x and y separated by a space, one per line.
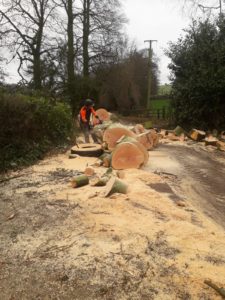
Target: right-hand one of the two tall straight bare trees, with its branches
102 22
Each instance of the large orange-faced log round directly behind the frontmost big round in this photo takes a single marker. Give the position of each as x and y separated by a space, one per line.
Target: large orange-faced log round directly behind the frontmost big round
113 133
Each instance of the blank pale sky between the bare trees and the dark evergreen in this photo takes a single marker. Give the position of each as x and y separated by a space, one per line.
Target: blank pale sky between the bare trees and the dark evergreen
160 20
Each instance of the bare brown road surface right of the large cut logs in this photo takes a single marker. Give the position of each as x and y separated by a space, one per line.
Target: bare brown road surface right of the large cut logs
199 172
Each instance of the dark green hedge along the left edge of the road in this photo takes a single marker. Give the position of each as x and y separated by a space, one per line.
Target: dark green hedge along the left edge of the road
30 126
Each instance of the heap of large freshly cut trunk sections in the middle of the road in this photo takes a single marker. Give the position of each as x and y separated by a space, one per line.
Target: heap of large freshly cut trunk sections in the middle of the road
125 147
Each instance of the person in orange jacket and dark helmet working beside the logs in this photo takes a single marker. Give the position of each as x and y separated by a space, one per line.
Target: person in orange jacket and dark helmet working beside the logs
86 112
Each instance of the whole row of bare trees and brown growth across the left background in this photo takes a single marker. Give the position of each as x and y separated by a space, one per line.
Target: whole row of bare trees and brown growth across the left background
75 50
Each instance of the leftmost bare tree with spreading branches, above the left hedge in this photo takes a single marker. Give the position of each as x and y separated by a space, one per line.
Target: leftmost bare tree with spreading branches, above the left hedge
23 27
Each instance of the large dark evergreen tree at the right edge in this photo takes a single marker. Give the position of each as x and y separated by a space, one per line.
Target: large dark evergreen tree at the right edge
198 74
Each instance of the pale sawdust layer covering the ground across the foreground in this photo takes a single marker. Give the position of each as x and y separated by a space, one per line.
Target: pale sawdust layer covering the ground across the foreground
62 243
